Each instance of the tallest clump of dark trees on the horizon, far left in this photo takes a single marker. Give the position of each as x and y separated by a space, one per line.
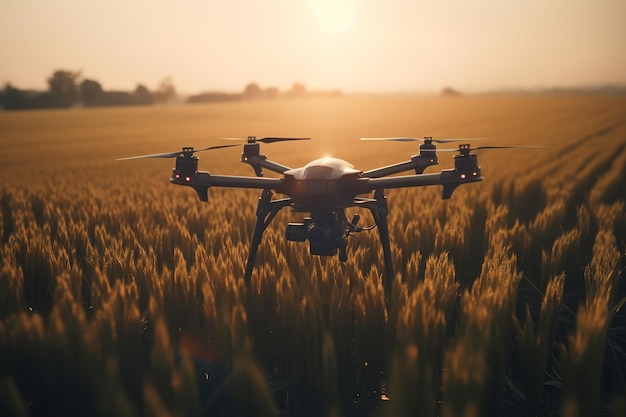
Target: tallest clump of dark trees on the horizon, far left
68 89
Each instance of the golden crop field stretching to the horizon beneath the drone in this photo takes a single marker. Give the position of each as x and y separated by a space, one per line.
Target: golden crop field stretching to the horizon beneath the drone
123 295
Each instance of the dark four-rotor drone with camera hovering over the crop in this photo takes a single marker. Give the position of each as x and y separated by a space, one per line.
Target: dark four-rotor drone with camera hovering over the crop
325 188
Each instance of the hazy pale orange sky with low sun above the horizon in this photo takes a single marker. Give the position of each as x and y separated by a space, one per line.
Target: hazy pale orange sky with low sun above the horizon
350 45
